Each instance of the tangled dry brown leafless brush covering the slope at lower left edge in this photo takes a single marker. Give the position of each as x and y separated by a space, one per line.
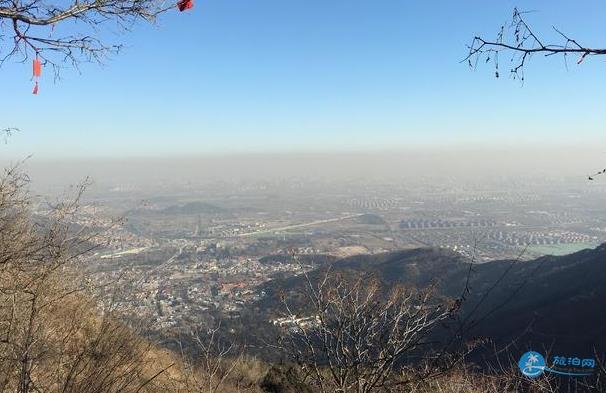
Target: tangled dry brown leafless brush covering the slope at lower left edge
53 337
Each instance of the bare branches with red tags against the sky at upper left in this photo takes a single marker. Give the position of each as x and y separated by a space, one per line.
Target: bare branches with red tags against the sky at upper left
69 31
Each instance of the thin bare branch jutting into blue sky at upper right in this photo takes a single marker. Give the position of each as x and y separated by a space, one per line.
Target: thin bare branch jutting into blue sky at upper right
518 40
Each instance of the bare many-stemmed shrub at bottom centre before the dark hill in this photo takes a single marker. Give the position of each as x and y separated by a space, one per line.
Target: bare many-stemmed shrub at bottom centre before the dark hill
356 338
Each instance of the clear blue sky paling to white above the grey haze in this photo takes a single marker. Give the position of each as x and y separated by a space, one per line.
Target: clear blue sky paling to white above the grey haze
312 75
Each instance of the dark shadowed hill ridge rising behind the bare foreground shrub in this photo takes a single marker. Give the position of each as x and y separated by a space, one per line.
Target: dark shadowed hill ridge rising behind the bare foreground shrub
549 302
